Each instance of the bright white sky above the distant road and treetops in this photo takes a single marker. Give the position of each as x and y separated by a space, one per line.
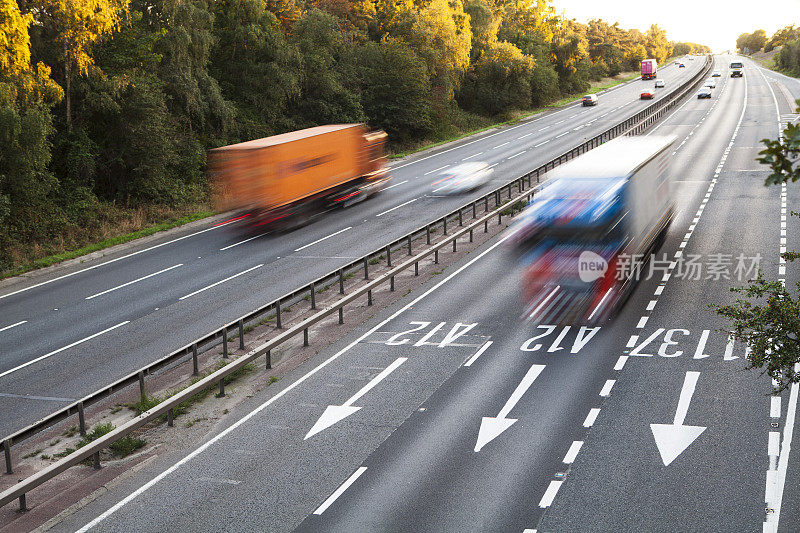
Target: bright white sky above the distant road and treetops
713 22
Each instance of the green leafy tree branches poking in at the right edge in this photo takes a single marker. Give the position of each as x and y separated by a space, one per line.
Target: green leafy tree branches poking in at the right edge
767 319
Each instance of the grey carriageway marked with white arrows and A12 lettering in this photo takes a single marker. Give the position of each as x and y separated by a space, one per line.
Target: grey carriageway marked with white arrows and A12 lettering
447 413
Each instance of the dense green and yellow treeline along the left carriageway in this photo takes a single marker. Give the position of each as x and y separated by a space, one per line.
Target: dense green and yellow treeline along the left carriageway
108 106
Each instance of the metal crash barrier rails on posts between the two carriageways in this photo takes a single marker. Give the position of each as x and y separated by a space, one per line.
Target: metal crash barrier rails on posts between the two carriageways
498 197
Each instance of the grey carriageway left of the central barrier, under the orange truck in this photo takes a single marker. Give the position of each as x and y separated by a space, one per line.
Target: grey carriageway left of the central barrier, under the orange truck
75 329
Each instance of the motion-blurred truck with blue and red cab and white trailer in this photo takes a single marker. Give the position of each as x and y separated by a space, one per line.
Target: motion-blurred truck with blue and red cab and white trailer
583 239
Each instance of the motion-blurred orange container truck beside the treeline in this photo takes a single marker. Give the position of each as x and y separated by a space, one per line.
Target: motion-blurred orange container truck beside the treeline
281 181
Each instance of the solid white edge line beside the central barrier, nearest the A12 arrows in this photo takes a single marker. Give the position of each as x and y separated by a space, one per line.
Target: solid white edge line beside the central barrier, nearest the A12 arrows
281 393
